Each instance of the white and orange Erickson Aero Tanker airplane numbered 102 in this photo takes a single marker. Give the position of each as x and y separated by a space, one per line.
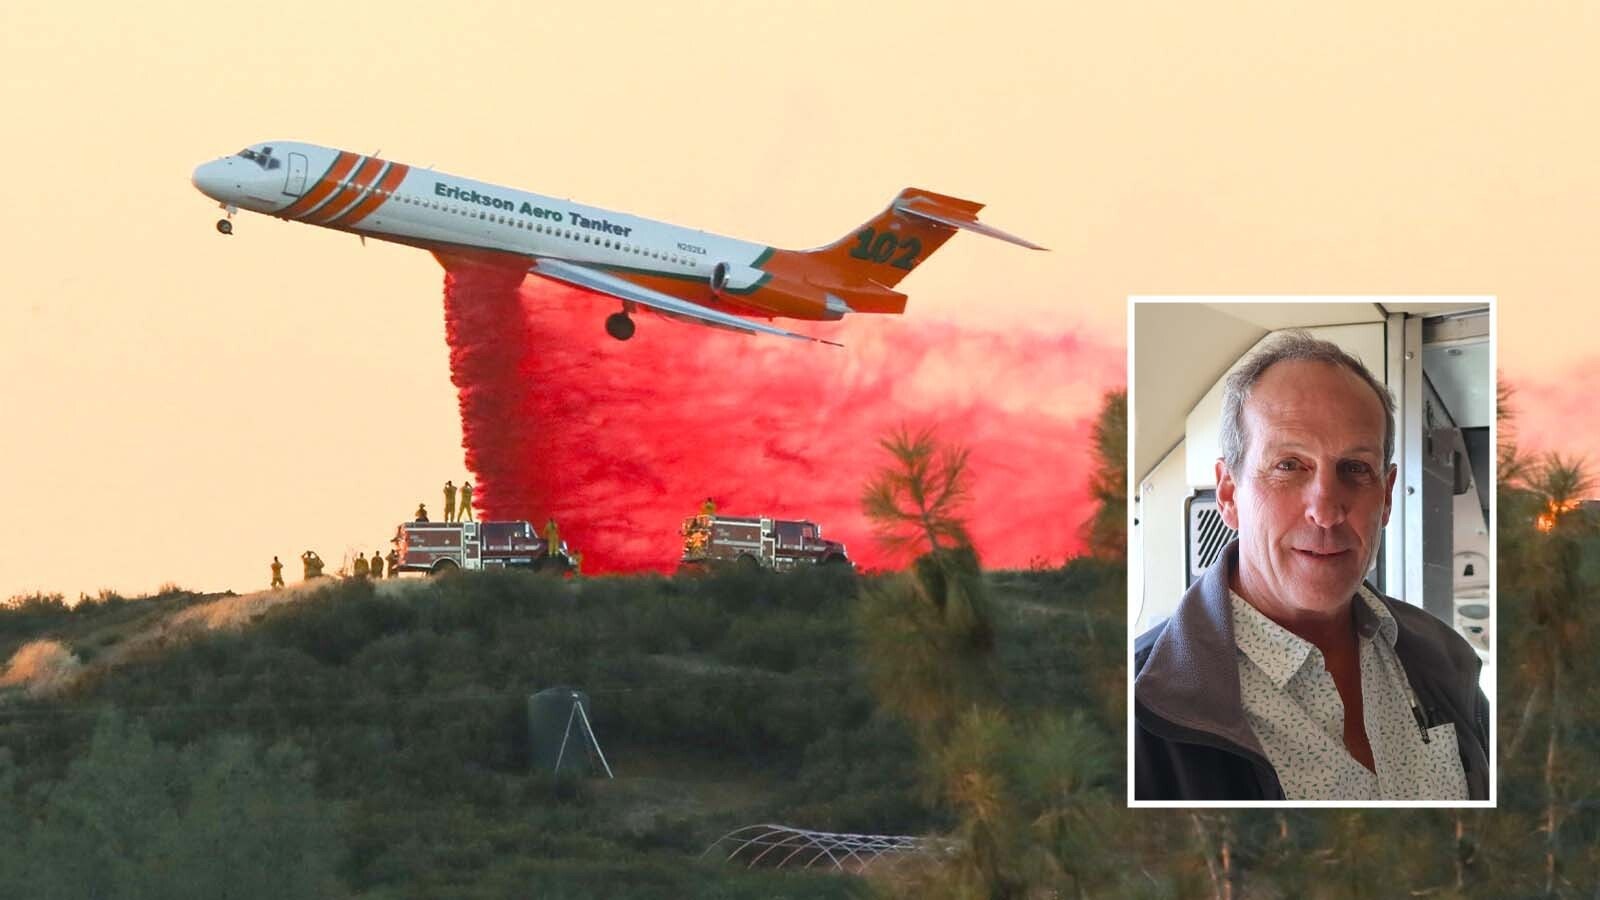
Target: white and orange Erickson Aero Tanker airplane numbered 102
671 270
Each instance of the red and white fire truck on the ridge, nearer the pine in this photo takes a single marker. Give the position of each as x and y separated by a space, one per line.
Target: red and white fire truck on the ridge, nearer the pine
756 542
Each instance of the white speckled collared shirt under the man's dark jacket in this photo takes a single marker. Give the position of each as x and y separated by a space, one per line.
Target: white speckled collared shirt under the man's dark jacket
1295 710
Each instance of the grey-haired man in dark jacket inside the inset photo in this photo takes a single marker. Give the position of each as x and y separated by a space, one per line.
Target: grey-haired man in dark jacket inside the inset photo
1281 675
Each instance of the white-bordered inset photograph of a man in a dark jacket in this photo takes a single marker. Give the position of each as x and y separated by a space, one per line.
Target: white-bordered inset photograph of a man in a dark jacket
1311 552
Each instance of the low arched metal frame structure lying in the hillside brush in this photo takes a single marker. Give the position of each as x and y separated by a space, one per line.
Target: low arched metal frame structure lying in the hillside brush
780 846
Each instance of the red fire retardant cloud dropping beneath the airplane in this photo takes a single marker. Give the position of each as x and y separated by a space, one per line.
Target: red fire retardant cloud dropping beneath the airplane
622 441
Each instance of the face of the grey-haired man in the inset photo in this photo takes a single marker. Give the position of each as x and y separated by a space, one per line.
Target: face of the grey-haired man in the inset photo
1313 492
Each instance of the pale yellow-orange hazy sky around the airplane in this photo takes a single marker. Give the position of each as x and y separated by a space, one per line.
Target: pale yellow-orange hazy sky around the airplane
180 406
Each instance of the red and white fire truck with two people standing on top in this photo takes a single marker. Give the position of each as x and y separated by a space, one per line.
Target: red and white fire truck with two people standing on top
438 548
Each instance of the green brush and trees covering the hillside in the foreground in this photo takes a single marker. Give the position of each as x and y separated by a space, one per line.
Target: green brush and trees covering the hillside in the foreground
374 742
